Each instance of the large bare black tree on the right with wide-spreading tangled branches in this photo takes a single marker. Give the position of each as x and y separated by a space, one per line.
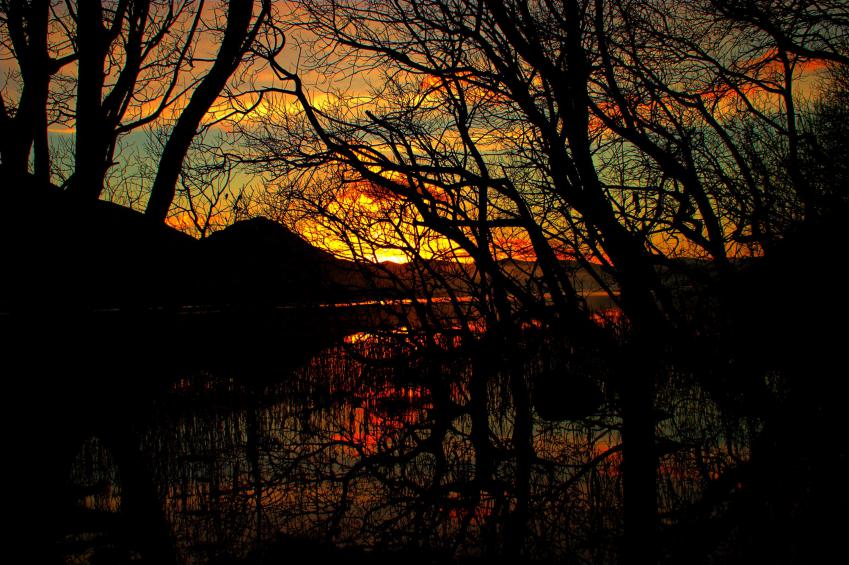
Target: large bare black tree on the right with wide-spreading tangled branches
614 133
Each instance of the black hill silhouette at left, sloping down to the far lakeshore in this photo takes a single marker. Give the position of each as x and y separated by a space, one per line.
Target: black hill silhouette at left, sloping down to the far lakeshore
63 254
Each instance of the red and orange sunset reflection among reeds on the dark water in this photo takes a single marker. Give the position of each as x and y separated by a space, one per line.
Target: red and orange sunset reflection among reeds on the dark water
392 442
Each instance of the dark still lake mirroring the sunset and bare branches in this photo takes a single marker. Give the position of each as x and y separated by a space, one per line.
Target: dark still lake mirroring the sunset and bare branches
244 437
